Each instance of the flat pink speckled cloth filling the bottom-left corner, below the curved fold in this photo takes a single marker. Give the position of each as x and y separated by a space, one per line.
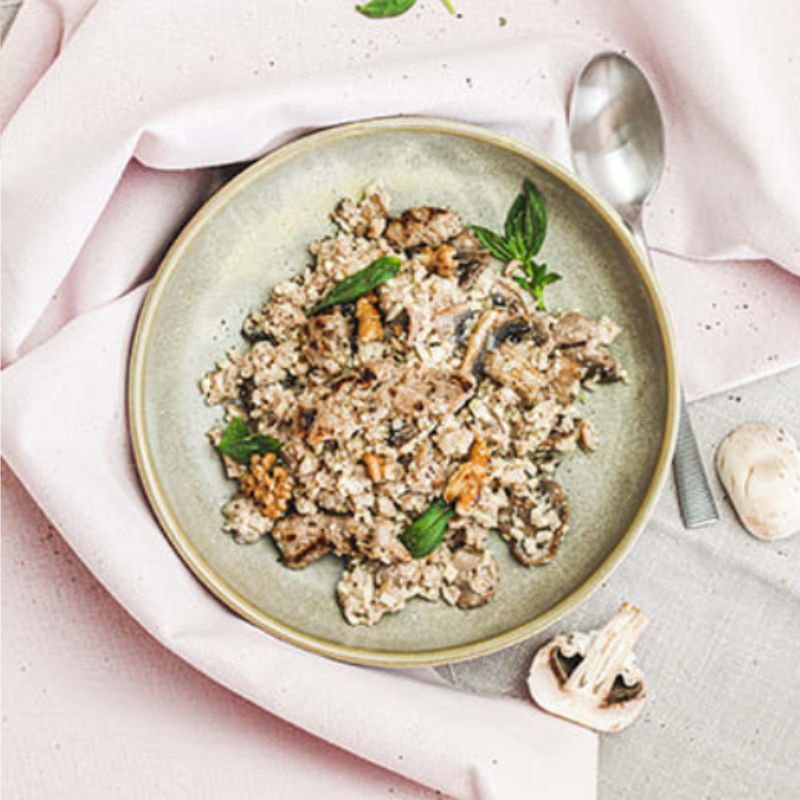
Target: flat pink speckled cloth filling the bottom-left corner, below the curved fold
94 708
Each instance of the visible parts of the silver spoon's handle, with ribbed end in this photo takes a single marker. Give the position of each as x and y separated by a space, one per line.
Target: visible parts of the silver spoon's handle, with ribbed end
694 493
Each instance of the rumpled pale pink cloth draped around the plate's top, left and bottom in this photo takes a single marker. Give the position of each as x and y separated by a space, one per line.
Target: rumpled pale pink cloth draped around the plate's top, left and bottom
113 109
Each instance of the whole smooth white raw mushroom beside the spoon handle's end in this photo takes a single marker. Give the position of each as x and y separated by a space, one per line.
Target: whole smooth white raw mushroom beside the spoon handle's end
759 466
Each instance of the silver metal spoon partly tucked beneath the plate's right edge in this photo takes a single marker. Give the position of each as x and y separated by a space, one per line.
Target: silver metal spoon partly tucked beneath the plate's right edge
617 139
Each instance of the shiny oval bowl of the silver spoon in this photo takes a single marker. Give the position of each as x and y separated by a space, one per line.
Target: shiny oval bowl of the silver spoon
616 133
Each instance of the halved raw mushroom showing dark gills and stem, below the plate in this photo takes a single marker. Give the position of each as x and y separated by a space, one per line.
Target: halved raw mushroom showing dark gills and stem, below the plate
592 678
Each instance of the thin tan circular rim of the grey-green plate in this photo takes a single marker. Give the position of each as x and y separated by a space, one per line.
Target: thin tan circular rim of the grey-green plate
180 540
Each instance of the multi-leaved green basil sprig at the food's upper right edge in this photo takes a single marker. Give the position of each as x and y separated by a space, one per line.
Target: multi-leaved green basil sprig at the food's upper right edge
525 229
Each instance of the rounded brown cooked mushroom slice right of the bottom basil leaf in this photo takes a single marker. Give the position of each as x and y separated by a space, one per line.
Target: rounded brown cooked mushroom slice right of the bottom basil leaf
535 521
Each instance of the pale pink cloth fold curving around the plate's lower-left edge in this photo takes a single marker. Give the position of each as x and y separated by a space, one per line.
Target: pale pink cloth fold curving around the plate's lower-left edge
445 737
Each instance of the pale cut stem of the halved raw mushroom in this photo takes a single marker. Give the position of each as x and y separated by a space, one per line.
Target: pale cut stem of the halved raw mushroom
606 654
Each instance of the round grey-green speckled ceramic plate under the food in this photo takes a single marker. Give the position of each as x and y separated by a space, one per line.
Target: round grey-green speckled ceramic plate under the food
253 233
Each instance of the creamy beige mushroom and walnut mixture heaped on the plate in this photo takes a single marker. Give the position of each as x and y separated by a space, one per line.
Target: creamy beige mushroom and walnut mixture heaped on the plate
443 384
